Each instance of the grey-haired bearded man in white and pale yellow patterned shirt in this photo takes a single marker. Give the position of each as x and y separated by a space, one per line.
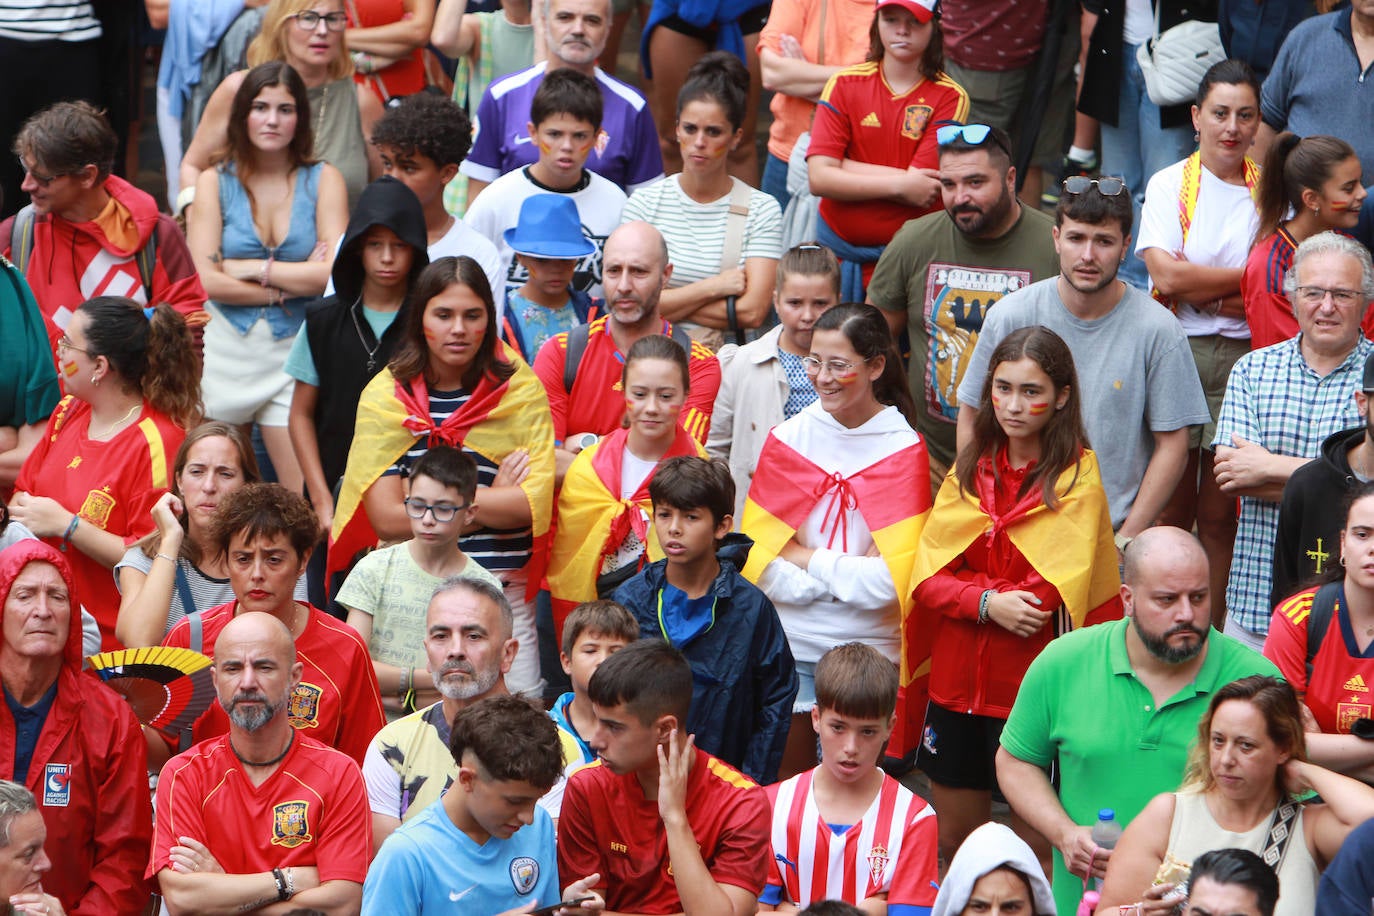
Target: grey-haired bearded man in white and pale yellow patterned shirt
471 646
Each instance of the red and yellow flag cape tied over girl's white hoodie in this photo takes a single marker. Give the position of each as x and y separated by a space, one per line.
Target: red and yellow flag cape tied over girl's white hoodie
892 495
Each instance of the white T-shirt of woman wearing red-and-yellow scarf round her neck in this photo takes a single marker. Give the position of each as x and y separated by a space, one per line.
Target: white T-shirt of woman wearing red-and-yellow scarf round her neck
1224 227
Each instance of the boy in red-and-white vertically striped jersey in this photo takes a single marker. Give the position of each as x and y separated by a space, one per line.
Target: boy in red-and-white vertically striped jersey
846 830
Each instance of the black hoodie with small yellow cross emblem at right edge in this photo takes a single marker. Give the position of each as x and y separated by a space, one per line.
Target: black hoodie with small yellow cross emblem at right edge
1313 514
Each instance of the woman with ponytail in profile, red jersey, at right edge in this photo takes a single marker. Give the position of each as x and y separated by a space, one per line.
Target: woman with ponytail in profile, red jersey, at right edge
1309 186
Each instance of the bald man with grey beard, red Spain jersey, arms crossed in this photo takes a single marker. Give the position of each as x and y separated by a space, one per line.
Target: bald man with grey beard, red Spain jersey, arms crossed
264 814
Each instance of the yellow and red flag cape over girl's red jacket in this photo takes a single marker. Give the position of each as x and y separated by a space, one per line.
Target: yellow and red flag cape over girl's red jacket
1071 546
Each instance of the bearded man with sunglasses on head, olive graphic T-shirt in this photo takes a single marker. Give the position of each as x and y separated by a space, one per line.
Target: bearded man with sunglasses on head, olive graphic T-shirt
945 271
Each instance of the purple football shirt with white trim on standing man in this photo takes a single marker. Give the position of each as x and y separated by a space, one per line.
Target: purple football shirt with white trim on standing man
627 148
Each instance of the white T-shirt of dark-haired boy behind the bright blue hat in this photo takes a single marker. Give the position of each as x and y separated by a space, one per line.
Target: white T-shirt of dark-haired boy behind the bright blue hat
497 209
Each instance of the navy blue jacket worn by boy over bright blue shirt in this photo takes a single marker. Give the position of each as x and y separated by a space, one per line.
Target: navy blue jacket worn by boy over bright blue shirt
744 676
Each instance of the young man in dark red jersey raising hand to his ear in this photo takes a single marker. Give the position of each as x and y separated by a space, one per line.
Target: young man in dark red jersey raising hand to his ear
667 827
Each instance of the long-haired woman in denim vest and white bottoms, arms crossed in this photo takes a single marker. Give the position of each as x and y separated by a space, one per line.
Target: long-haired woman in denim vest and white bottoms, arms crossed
260 236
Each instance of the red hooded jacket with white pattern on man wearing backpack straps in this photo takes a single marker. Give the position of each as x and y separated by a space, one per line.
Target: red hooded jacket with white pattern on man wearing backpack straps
76 262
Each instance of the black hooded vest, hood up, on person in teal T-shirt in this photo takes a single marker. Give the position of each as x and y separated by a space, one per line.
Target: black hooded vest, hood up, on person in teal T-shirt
346 351
